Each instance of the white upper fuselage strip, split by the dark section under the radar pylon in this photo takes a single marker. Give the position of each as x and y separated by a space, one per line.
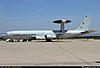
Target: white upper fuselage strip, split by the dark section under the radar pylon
43 32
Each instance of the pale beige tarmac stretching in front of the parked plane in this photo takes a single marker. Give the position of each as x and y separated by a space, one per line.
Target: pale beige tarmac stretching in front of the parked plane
76 52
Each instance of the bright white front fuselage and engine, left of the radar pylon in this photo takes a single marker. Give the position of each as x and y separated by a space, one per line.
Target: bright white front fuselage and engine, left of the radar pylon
39 34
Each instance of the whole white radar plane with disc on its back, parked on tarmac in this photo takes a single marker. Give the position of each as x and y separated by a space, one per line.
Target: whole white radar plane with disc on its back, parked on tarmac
48 35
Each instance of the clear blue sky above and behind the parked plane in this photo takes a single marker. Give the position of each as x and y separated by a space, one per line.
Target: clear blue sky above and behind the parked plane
40 14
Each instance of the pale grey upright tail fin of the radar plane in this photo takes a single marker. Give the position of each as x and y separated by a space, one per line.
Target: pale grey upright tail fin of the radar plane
85 24
